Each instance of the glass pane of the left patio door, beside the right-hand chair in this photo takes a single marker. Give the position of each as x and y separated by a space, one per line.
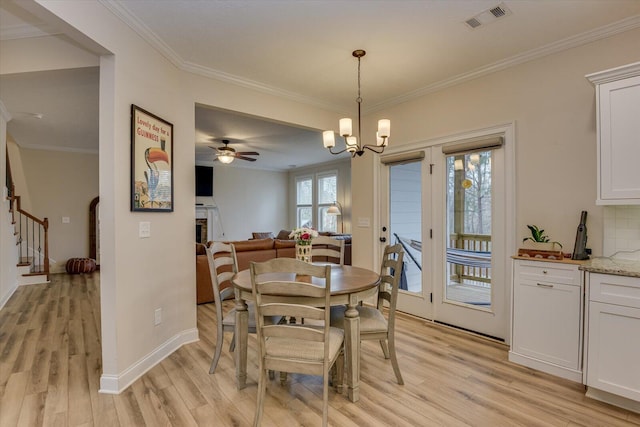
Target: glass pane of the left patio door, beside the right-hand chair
405 220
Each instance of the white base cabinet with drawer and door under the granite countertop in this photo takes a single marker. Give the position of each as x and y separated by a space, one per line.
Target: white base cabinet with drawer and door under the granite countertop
613 343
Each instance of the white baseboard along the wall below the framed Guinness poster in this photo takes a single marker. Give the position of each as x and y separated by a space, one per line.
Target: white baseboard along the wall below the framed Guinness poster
115 384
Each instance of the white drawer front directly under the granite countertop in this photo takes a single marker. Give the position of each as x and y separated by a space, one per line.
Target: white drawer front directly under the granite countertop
612 289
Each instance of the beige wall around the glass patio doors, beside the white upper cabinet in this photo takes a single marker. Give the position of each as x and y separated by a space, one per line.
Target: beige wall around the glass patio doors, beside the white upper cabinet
553 107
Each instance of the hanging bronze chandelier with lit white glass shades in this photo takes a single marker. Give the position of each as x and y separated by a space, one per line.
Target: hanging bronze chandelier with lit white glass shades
352 144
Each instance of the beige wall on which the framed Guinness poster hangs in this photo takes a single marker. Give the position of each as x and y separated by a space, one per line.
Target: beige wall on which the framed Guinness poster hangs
140 275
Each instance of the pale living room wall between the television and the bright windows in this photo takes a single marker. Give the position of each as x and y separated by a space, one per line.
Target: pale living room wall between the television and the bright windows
250 200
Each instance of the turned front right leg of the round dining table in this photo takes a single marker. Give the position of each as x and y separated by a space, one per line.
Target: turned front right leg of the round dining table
352 350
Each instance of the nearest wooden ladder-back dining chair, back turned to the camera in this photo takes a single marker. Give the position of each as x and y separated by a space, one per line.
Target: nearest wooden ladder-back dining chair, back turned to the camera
300 348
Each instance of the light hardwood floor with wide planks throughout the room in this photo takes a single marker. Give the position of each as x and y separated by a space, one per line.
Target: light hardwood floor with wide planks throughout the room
50 365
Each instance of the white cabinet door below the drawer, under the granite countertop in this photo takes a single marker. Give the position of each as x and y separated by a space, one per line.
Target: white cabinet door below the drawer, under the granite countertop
613 363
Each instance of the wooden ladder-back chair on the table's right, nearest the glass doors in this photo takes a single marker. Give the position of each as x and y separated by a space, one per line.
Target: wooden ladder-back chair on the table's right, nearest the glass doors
373 323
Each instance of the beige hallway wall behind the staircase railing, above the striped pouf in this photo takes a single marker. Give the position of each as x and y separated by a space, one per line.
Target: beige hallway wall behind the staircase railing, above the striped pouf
62 184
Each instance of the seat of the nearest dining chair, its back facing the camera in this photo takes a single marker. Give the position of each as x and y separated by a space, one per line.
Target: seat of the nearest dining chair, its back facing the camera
291 348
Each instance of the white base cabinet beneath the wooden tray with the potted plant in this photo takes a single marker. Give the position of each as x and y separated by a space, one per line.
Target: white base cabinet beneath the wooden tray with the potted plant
547 313
